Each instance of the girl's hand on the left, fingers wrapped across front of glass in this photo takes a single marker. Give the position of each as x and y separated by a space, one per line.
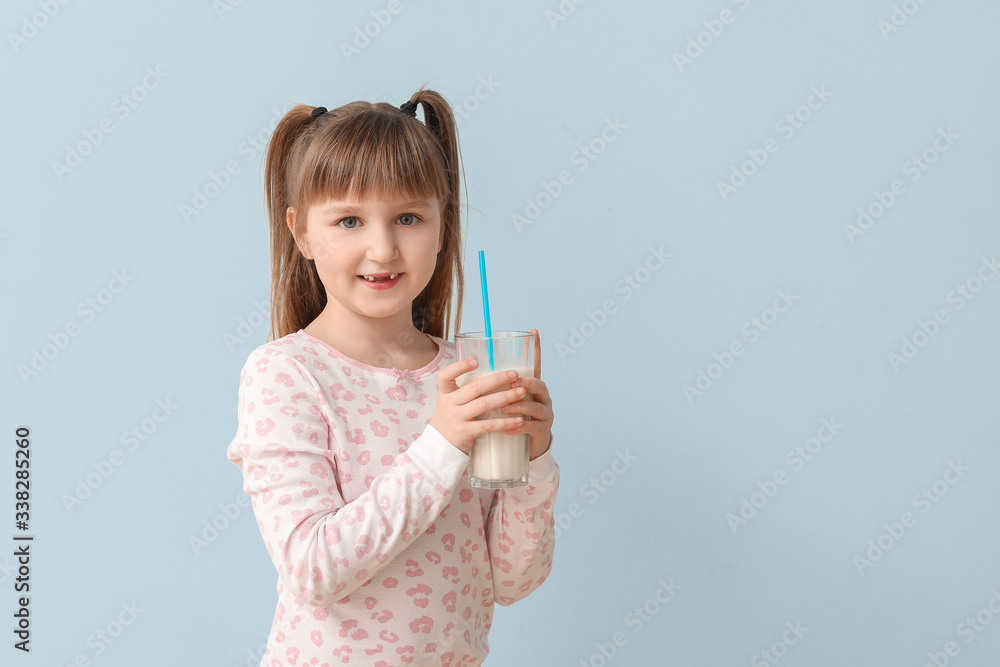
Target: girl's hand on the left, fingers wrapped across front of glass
458 408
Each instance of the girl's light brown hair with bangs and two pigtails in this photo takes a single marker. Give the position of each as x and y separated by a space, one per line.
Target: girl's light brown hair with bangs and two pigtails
358 150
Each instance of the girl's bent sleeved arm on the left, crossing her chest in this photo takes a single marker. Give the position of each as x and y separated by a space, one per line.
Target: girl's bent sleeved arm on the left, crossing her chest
323 547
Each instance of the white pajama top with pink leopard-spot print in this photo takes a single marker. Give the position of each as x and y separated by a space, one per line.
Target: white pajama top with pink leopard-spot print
385 555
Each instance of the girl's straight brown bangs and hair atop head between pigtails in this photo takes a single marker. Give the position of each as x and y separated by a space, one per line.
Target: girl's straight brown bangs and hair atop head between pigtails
377 153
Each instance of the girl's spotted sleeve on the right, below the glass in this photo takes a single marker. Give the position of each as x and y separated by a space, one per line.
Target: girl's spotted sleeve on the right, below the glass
520 532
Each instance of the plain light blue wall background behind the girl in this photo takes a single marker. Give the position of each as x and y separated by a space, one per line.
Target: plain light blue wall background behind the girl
554 87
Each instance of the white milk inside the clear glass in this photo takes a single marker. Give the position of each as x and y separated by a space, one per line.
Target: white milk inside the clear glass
498 460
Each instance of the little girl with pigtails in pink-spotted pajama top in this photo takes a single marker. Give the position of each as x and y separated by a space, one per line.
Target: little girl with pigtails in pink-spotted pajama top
353 434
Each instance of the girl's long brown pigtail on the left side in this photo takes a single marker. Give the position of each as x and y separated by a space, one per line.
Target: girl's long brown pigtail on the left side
297 294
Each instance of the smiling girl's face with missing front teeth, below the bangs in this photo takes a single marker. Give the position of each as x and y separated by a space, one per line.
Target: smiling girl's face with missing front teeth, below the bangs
352 238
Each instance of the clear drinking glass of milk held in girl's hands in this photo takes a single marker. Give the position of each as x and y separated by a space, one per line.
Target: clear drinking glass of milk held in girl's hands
498 460
